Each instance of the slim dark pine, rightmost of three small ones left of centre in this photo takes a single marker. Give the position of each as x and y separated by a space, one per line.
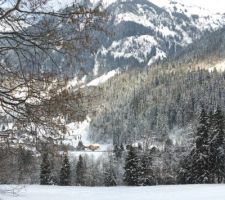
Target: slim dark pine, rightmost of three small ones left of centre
80 171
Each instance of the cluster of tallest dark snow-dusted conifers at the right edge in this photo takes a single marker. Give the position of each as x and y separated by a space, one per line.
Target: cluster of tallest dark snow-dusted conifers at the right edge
206 161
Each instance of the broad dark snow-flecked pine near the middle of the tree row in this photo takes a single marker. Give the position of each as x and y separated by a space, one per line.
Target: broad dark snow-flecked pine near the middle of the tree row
132 168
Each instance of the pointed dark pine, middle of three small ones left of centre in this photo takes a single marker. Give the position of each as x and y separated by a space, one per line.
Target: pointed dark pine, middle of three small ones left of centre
65 173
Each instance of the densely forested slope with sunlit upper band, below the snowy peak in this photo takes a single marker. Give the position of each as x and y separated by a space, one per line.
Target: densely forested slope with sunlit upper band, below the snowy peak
163 99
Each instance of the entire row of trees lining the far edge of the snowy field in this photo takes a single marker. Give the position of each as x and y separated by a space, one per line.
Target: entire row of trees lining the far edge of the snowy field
202 160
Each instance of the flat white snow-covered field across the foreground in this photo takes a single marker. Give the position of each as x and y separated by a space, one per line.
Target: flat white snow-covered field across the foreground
186 192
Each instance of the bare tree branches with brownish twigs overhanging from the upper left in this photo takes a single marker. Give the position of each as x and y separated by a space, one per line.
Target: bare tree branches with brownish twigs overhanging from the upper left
29 34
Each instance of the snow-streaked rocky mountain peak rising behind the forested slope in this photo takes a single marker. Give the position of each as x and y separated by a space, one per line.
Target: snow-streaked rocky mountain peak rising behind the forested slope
141 34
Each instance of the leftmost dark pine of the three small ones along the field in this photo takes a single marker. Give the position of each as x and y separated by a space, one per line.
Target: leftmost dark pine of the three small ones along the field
45 174
